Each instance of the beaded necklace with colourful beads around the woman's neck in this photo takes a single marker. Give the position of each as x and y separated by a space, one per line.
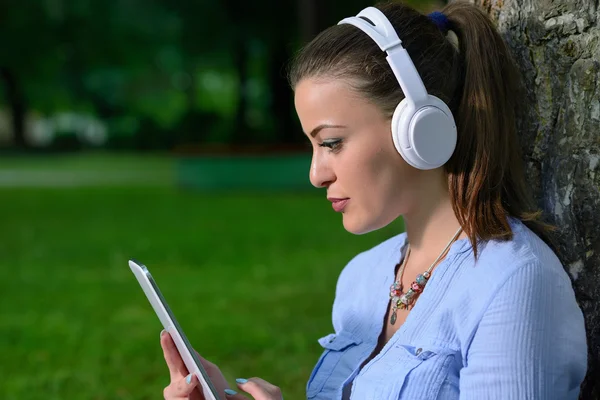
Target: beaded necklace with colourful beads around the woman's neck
403 301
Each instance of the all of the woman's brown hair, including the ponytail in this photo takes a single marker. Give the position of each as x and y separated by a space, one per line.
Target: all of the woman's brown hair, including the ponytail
480 83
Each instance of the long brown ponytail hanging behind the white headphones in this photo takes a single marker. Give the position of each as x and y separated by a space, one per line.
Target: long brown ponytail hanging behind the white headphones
486 173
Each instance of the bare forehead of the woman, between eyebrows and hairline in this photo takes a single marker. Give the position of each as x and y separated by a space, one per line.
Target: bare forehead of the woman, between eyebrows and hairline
328 101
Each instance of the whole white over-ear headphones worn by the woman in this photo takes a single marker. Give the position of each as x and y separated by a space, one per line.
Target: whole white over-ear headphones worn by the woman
423 128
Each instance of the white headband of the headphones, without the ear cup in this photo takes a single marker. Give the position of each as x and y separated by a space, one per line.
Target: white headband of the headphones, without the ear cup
383 33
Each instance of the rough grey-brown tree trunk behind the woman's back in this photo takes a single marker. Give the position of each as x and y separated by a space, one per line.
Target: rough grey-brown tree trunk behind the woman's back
557 45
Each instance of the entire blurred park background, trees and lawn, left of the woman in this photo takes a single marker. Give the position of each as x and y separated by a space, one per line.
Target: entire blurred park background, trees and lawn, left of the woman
163 131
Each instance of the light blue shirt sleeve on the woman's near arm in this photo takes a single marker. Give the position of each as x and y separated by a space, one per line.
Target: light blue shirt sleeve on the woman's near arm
530 342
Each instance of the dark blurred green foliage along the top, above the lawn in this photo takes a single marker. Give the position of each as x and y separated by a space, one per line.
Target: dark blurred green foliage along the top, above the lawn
157 62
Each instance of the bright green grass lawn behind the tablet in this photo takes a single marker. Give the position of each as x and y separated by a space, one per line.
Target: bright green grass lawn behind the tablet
250 277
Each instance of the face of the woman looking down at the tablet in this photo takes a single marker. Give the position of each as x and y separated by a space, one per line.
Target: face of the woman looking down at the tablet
354 156
